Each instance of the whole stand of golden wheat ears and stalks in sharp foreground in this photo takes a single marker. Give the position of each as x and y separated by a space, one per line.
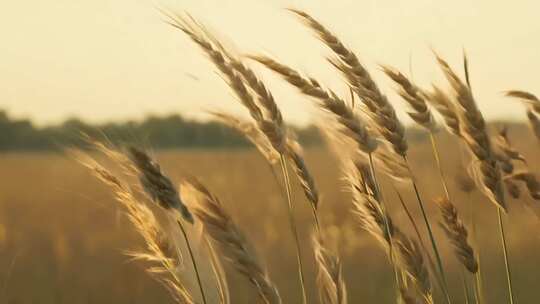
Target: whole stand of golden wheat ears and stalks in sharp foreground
370 148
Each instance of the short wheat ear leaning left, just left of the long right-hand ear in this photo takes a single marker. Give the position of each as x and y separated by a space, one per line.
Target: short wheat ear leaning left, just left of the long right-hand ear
414 96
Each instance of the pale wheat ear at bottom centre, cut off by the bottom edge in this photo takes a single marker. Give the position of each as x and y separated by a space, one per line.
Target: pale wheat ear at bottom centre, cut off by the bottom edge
330 280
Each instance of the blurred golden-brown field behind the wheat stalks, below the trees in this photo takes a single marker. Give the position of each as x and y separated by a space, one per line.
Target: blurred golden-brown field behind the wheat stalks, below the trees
63 238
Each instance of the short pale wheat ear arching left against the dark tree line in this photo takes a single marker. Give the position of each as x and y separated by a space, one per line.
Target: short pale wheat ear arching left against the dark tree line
252 133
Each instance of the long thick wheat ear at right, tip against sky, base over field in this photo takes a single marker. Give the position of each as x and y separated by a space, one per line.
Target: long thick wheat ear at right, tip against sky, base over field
473 131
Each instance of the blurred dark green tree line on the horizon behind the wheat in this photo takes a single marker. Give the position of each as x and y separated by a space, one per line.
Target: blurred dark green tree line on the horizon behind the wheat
164 132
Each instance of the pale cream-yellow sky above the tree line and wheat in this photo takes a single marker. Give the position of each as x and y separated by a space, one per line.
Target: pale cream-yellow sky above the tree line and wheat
115 59
